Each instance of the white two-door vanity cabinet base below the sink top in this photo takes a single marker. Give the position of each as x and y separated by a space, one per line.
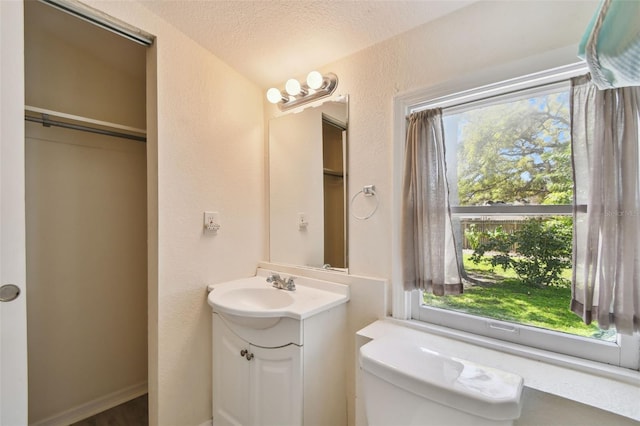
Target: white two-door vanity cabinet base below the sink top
288 374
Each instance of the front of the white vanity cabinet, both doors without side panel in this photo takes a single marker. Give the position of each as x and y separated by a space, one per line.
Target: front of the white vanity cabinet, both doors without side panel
255 385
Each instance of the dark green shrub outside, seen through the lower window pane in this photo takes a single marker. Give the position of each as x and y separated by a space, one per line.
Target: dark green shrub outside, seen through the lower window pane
538 252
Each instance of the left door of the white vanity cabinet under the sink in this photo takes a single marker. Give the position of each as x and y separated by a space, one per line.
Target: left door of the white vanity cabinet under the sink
231 373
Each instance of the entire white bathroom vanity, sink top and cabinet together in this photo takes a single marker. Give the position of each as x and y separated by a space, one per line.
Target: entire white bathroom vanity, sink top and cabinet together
279 356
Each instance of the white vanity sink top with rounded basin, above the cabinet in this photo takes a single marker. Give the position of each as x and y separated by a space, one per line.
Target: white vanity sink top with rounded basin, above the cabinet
254 303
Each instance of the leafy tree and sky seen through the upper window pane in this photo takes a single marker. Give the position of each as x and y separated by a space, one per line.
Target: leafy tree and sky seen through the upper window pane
518 152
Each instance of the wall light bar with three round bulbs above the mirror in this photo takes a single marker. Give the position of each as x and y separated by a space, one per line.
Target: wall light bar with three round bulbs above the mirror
295 94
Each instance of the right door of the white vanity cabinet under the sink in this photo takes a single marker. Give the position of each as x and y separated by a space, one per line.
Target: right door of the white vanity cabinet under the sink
276 386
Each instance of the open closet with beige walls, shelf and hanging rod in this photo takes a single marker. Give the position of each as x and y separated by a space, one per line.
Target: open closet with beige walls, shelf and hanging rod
86 219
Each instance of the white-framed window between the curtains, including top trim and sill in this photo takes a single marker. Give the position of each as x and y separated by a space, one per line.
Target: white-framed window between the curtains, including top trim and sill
508 155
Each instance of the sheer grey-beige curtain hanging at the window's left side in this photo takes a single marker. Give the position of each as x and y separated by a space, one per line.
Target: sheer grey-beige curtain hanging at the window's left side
429 256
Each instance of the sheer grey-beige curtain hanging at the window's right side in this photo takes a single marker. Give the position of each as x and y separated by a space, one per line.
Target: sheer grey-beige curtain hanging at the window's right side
606 252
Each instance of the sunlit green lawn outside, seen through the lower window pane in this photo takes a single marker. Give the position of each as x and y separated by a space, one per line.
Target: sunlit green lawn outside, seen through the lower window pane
504 297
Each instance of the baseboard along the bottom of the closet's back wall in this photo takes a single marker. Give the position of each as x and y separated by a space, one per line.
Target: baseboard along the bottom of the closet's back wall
94 407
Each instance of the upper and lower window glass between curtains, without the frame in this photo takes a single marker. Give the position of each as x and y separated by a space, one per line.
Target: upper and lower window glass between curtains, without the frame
516 267
